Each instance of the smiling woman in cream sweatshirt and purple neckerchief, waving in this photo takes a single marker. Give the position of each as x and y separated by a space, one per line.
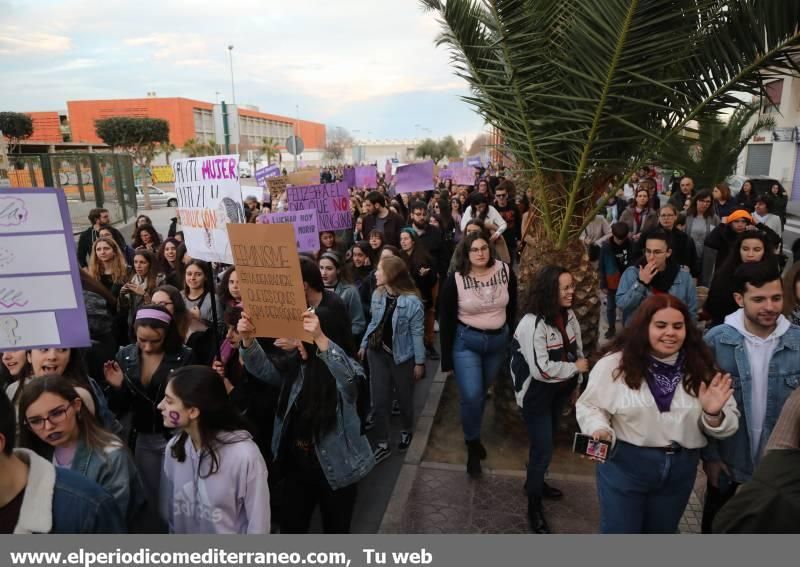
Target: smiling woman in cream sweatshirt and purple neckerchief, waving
655 396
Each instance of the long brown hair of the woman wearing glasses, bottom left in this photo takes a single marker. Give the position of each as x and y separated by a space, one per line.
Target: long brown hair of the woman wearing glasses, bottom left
91 432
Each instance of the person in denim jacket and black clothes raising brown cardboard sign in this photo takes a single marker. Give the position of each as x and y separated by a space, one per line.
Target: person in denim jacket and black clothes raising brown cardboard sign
317 436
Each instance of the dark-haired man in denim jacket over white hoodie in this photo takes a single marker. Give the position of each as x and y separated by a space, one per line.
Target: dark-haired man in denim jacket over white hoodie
761 351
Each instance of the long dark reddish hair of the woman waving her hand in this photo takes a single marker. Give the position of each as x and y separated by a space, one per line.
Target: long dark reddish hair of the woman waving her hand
634 344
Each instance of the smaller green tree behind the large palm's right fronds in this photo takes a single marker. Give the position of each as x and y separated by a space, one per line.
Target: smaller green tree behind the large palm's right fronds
709 153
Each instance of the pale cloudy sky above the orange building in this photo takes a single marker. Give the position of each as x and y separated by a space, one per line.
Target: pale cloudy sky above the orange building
369 66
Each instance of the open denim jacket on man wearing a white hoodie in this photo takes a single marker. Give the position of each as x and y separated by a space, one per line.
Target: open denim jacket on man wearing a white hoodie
784 377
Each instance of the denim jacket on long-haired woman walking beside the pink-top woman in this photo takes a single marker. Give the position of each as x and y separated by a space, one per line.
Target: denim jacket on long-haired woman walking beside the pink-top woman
407 326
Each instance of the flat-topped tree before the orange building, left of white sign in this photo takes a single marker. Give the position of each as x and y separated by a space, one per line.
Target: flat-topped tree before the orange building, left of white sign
140 137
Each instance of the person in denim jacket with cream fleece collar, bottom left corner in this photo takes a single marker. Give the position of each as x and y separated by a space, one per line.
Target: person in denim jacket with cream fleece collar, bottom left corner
36 497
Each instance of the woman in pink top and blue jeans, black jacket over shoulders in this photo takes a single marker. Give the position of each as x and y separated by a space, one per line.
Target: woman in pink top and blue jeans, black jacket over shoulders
477 302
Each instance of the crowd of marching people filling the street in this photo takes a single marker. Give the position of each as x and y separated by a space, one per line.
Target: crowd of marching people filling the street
179 419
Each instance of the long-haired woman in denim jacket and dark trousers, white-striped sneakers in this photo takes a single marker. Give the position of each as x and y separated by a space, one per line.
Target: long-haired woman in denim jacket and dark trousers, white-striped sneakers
395 349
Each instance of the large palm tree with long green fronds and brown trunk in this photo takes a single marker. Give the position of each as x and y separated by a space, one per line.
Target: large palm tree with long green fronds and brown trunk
582 91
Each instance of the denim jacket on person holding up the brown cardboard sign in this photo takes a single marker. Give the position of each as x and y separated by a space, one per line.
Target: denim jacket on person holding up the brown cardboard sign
343 452
